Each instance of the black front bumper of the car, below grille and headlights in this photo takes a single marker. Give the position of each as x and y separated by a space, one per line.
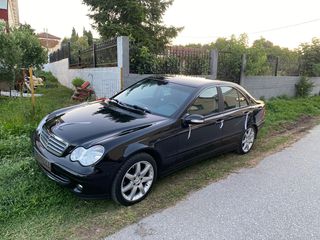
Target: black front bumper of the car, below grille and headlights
86 182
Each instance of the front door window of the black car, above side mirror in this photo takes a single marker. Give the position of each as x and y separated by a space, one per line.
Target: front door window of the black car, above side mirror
206 103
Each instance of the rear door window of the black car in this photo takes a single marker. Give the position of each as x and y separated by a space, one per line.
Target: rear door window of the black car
232 98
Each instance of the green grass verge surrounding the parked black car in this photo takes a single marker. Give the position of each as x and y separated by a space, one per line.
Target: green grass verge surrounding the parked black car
34 207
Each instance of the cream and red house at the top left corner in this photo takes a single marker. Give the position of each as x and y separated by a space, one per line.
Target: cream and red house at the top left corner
9 12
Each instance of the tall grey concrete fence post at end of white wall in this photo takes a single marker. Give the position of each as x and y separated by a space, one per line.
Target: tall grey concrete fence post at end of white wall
123 54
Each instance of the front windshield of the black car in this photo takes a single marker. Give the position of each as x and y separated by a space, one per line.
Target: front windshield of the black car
159 97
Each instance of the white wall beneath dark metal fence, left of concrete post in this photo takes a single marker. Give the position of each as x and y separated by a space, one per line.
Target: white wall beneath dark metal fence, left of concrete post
105 80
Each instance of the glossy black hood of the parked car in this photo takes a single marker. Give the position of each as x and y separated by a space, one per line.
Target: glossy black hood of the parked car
98 120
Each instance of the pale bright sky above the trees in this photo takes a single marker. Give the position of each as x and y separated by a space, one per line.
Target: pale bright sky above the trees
285 23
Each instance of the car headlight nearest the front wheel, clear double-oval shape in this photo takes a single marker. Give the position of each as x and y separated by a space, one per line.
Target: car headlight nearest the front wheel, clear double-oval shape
89 156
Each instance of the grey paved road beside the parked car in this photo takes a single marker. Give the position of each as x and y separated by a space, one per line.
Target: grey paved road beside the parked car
278 199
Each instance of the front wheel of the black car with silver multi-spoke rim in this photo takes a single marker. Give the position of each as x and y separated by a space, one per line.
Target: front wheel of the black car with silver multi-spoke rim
134 180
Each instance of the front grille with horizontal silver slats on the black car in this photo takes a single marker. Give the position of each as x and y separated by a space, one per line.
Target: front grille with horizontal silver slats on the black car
52 143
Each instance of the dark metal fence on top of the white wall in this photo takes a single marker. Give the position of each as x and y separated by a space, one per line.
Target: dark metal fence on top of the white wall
99 55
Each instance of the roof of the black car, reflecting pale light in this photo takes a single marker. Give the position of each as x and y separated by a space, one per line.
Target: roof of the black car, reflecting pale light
197 82
